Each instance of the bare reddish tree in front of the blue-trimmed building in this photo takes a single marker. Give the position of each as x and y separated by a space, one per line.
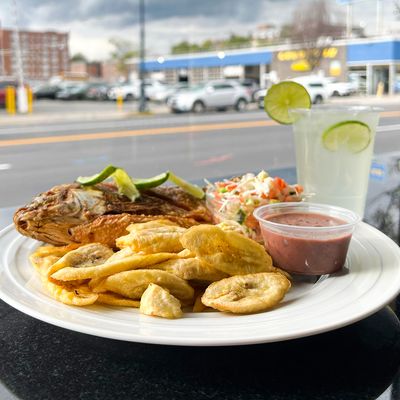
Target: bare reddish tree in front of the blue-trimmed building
313 28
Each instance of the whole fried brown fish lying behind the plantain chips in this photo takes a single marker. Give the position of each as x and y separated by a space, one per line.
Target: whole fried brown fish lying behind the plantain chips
72 213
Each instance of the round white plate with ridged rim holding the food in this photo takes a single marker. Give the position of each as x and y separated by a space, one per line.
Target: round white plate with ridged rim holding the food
370 280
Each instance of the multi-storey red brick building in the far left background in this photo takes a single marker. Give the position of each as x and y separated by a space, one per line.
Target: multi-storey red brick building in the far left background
43 54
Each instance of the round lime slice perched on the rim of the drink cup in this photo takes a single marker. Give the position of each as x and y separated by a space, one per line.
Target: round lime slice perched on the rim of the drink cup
283 96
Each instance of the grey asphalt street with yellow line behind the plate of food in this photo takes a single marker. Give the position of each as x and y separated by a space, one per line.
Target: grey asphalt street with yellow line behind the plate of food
37 154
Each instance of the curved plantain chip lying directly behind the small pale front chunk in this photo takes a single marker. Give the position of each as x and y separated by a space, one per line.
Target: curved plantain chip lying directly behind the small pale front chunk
132 284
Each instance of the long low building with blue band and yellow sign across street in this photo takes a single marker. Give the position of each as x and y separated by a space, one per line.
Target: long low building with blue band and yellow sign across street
372 62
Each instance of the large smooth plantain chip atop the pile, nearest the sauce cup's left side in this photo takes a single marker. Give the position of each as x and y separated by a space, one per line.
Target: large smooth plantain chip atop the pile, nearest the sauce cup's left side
229 251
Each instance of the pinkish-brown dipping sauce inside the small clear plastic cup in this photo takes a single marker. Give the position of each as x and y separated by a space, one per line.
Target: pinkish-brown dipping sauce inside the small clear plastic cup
308 253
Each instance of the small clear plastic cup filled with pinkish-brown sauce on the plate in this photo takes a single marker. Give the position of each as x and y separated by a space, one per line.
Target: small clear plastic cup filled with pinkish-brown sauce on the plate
307 238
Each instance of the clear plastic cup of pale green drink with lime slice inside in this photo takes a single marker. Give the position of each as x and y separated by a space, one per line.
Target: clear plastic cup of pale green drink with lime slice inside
334 147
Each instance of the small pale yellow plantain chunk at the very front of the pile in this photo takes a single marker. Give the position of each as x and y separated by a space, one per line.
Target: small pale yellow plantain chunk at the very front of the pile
159 302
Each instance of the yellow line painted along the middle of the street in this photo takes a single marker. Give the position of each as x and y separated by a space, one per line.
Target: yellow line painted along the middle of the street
150 131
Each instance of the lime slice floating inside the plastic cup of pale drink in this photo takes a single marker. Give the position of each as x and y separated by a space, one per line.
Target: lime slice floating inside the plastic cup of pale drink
355 136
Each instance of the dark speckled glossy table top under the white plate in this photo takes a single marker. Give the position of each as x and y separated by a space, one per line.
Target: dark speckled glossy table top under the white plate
360 361
